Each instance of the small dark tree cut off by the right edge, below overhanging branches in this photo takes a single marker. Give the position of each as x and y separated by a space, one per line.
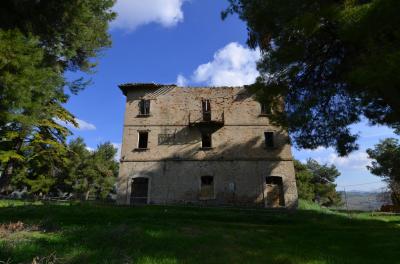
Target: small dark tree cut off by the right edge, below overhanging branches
386 164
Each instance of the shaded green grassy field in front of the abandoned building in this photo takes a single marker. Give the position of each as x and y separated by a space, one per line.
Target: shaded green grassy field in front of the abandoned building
160 234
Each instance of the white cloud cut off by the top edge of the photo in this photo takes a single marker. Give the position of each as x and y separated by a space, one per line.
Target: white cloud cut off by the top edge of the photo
134 13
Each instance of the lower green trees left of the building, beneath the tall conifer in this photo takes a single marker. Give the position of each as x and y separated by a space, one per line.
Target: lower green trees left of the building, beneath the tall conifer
78 171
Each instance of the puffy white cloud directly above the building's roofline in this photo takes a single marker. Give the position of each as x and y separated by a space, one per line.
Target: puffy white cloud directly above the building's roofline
233 65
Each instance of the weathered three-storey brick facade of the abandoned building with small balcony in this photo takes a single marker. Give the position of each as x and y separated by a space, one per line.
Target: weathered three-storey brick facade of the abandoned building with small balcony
202 145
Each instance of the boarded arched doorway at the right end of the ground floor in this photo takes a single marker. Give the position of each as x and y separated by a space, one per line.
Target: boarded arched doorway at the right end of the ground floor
274 192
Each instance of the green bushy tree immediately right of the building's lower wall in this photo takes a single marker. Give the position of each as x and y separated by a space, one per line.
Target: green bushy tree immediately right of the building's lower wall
315 182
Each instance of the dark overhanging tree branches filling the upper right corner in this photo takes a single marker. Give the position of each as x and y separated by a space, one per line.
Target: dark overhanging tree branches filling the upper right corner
333 61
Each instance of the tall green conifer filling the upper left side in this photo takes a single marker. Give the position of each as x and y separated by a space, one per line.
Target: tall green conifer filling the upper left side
39 42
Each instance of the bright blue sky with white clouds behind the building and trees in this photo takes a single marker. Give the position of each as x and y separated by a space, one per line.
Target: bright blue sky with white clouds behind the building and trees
185 42
